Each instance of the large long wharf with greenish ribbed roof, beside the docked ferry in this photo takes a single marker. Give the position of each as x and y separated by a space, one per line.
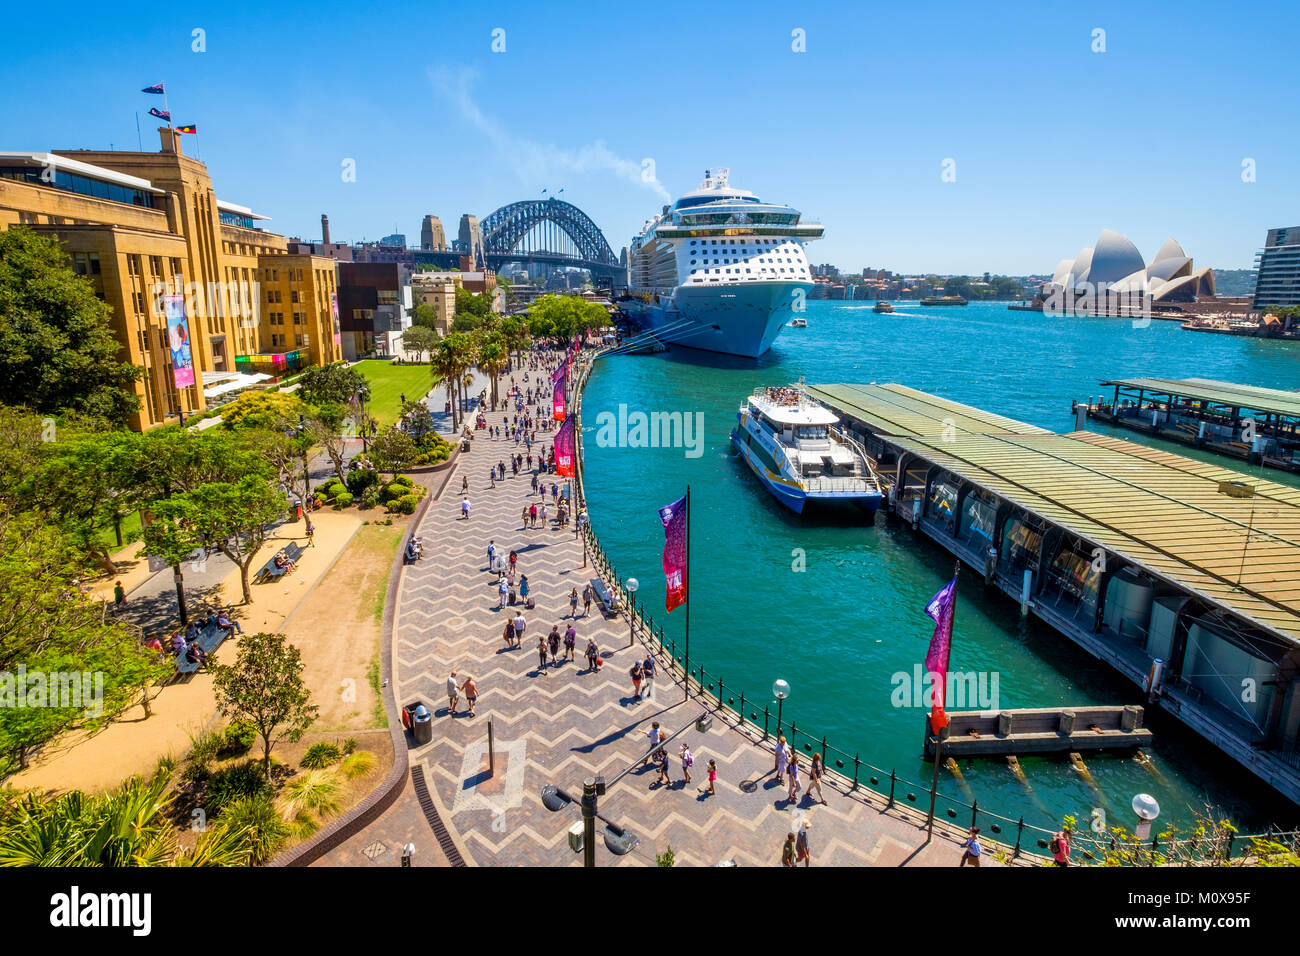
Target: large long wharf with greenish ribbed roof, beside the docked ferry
1180 574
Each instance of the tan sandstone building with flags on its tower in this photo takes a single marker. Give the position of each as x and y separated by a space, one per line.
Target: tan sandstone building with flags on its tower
145 226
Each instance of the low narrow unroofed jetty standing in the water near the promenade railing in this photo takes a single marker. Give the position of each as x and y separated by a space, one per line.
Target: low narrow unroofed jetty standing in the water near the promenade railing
1041 730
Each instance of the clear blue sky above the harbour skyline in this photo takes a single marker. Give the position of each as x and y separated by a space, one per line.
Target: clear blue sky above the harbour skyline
1052 141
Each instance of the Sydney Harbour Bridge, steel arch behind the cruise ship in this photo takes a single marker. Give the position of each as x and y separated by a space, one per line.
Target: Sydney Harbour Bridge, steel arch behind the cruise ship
539 232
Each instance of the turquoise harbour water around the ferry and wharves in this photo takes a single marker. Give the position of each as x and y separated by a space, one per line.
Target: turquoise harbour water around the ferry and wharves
842 629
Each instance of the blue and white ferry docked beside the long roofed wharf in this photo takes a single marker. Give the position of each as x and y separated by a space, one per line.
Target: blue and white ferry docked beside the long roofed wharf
799 452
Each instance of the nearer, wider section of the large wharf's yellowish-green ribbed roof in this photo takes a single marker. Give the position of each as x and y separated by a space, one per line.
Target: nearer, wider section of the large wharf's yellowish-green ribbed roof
1162 512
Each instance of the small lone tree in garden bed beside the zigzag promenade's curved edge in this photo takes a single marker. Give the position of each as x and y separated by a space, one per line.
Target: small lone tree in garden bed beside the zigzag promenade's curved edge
266 689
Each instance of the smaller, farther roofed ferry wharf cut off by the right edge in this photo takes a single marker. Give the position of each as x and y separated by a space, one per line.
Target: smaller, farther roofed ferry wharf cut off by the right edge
1245 422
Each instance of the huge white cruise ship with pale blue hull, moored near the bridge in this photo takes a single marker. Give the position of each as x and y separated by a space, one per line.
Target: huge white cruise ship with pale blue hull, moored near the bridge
721 270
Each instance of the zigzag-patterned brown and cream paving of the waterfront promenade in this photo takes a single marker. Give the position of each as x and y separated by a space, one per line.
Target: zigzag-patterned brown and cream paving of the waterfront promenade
564 724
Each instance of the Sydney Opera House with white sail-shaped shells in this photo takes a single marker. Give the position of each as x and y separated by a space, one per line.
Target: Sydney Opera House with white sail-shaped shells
1115 270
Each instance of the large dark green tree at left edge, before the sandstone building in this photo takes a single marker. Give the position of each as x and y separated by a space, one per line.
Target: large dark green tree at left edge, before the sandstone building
58 348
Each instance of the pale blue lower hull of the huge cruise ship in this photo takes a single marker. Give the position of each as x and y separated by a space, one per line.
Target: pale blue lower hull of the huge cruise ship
742 319
